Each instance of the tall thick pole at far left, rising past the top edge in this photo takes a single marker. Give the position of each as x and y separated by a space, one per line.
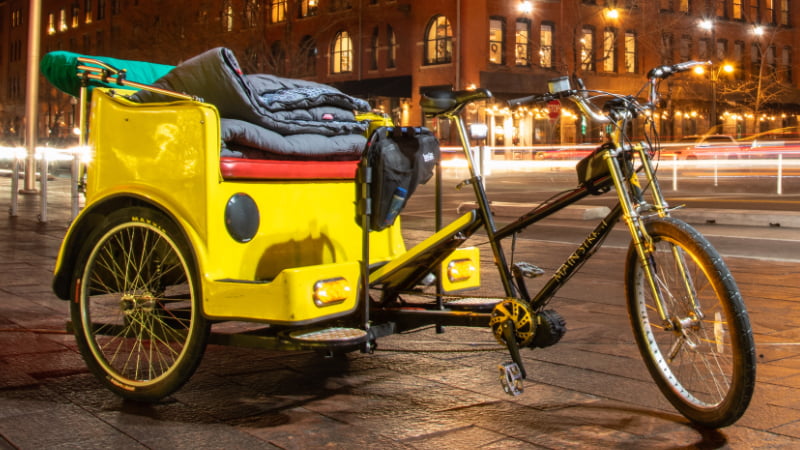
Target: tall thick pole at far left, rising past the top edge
32 103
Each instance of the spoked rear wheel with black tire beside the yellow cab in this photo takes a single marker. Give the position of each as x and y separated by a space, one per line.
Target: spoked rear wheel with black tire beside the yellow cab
136 312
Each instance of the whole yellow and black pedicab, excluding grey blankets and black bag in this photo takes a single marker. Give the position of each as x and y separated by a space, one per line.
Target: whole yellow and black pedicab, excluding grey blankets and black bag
161 252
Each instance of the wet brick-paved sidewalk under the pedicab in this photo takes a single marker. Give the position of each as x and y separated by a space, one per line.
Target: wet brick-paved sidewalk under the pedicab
419 390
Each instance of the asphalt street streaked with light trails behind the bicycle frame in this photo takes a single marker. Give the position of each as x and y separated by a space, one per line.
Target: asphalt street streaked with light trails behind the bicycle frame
696 187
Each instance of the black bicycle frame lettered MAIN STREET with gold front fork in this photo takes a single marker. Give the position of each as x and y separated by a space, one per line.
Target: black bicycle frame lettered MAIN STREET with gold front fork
631 208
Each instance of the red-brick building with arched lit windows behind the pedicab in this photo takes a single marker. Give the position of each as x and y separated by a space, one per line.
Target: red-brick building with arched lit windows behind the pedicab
389 51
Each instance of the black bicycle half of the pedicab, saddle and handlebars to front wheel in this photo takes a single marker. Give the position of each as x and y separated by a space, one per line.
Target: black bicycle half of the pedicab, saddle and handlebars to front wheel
686 311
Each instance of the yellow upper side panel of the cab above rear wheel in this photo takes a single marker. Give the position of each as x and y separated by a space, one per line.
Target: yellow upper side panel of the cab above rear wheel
158 151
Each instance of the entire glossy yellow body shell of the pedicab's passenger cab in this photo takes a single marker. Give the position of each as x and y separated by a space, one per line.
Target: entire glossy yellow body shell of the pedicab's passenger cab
168 155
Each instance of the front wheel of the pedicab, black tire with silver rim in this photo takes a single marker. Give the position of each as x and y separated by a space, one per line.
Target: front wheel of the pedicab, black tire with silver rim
702 356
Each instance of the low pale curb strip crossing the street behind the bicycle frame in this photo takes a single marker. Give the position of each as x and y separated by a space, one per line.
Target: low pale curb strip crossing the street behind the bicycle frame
739 217
